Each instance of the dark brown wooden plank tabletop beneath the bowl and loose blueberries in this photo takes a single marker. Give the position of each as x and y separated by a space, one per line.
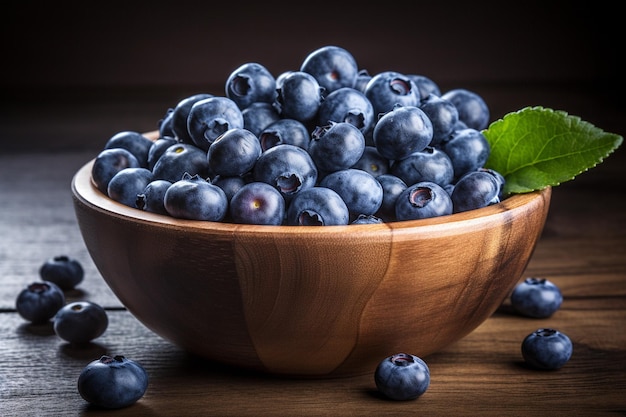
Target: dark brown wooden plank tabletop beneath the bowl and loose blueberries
582 250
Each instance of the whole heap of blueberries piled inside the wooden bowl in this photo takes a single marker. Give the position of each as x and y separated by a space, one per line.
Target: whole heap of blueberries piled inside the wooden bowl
326 144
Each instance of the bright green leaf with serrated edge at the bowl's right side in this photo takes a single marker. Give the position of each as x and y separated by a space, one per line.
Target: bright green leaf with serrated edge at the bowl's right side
538 147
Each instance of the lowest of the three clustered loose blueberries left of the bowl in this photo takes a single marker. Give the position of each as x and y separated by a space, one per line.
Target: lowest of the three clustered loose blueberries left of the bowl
80 322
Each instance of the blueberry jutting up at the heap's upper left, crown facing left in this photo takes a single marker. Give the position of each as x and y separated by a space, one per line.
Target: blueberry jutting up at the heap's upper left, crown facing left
250 83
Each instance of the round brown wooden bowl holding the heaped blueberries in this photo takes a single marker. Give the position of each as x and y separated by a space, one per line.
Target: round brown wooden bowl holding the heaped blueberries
310 301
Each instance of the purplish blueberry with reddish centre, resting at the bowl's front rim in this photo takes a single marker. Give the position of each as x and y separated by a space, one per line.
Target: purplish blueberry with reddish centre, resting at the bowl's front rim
258 203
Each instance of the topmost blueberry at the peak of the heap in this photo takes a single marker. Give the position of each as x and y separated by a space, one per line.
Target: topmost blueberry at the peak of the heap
332 66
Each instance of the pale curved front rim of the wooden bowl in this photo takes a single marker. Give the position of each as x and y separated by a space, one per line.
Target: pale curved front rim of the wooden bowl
85 191
